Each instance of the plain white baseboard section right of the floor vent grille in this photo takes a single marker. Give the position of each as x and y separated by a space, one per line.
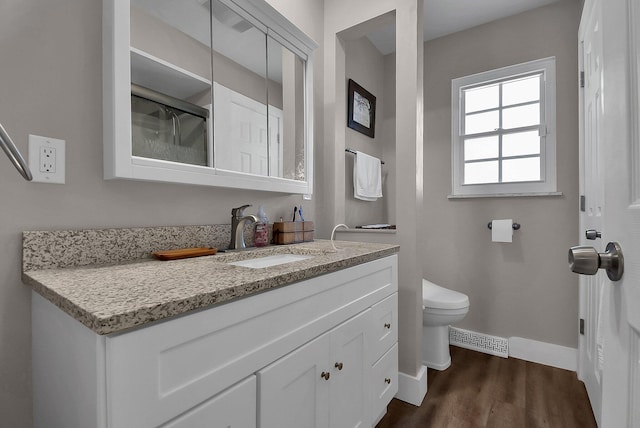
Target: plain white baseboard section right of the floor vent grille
548 354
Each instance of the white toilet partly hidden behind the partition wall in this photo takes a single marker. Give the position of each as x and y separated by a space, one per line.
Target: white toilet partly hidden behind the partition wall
440 307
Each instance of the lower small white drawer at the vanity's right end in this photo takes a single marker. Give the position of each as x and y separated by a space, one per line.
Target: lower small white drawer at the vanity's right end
384 385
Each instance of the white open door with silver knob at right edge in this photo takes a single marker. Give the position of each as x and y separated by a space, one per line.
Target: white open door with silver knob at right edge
611 184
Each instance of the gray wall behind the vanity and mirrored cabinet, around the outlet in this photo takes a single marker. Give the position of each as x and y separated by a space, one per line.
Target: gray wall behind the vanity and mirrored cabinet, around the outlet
51 83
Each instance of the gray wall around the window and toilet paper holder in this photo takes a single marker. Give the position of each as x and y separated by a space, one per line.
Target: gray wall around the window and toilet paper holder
525 288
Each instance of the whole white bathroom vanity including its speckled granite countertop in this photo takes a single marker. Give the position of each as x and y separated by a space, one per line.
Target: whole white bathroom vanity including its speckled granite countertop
309 343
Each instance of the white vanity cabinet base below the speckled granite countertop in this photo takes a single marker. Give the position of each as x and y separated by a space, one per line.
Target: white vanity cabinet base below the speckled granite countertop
254 361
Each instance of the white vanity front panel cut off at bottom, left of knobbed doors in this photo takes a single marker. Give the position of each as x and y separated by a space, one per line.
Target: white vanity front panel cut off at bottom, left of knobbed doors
233 408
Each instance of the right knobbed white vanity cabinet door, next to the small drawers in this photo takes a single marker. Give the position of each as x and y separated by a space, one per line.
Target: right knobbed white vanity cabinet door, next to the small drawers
350 371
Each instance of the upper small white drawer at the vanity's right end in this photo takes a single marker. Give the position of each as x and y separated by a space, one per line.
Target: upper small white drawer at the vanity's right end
385 326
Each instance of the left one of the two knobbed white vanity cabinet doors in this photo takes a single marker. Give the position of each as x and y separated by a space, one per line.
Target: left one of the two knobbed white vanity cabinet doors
294 391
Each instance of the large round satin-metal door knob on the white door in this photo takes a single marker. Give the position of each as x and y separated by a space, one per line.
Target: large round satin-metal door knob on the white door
587 260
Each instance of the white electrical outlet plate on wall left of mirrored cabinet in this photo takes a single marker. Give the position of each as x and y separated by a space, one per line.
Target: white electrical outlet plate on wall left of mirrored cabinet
47 159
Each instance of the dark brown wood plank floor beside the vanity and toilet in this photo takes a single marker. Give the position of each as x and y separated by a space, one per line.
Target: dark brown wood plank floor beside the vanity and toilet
481 390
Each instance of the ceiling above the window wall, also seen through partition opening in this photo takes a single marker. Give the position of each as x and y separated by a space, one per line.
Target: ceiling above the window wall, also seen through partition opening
442 17
